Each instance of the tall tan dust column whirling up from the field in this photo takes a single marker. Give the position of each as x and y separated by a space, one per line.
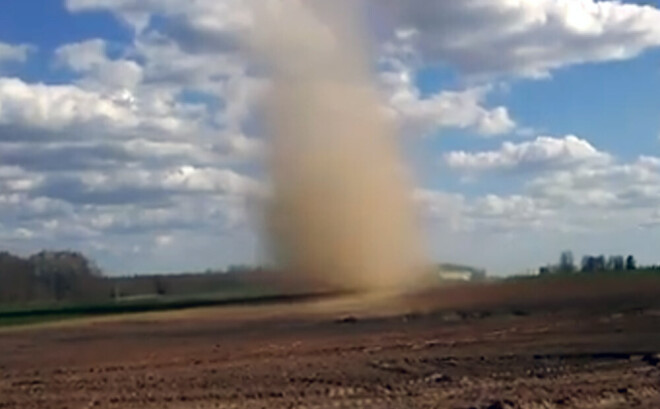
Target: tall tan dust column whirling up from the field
341 216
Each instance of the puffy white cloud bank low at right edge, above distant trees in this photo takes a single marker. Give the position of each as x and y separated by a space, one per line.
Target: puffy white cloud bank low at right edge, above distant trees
574 189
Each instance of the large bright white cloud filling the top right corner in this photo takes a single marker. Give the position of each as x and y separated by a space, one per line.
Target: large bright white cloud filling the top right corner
528 38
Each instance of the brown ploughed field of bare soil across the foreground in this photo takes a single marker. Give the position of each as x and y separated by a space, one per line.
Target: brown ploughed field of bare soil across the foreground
523 346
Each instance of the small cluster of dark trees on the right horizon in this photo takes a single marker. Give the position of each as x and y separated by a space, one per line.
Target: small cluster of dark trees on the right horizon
591 264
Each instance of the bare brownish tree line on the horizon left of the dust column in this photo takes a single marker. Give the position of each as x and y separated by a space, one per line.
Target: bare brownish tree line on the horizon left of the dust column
70 277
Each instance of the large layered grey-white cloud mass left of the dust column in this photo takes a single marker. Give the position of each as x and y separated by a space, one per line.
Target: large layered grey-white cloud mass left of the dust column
123 153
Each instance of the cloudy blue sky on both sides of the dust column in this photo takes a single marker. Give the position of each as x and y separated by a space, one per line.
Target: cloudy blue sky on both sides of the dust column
130 129
